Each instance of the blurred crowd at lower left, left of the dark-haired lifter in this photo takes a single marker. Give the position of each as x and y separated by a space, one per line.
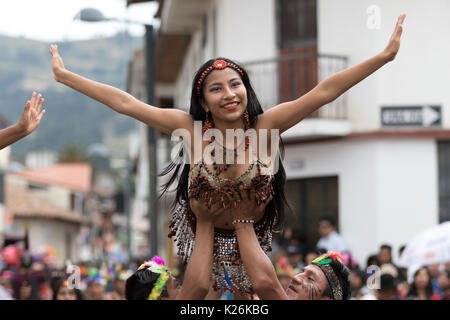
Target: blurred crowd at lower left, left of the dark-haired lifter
33 275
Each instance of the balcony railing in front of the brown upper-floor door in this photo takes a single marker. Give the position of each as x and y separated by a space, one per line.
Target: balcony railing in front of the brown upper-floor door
289 77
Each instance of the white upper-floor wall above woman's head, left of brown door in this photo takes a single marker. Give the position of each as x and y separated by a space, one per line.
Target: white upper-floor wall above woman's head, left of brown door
245 31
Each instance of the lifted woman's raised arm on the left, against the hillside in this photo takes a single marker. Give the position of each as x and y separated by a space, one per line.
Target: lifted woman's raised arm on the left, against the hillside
164 120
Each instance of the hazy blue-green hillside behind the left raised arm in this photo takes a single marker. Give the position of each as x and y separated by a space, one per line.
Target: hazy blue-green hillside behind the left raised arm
71 117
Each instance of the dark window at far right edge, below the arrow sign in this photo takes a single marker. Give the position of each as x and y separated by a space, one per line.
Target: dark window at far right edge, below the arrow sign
444 180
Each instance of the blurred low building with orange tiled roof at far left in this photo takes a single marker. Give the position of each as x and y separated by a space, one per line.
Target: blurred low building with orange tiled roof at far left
49 202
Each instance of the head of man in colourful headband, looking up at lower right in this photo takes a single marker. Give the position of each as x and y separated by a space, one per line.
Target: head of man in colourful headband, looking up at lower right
326 278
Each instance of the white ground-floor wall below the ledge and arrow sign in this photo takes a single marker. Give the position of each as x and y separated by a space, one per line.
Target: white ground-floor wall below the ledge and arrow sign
376 181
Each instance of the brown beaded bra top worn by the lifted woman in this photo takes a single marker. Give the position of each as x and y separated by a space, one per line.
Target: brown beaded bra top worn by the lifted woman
212 188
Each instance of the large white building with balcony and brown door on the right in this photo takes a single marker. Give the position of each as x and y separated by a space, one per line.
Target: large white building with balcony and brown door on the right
375 159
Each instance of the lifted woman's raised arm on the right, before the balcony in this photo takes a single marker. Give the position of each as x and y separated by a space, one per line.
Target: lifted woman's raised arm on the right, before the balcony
288 114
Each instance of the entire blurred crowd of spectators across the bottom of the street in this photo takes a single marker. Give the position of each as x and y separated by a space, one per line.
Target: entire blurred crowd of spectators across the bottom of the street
34 275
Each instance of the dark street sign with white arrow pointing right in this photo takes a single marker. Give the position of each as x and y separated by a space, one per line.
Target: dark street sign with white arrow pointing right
422 116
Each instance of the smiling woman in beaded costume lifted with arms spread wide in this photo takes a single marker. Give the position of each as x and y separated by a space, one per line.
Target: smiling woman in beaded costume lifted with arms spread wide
222 98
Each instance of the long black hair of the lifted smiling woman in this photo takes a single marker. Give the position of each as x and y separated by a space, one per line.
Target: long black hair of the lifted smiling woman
274 212
